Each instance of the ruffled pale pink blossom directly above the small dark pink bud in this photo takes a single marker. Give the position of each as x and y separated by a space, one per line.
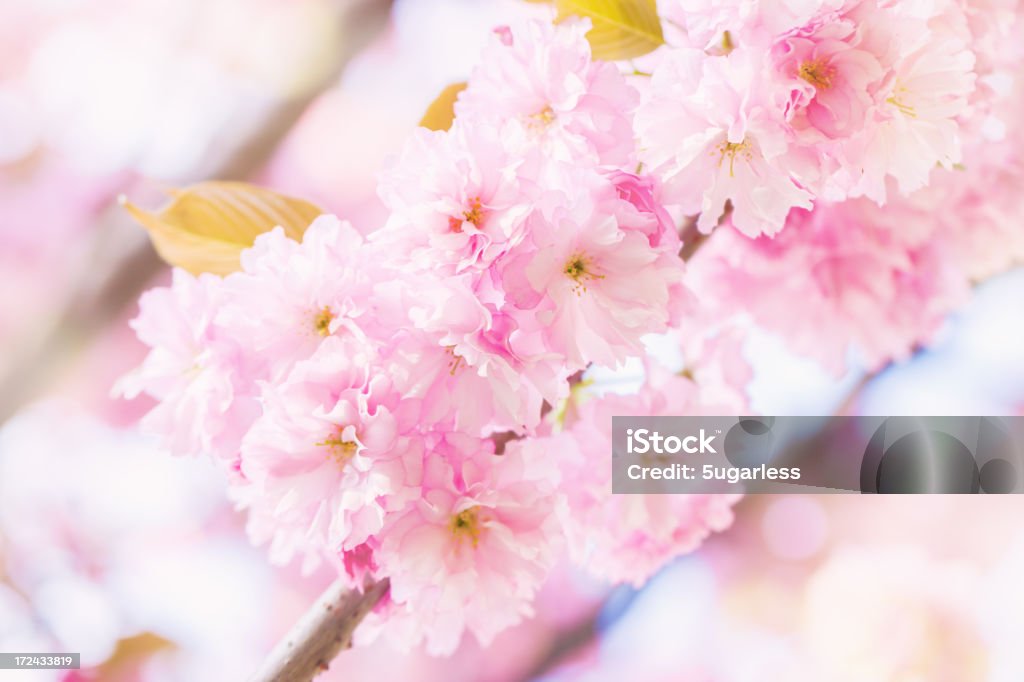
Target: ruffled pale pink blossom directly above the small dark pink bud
334 448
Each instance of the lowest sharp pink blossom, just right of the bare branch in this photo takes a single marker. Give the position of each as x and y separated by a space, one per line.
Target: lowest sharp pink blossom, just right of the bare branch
473 551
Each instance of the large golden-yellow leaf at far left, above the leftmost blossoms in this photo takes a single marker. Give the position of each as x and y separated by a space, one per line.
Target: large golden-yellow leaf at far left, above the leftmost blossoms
207 226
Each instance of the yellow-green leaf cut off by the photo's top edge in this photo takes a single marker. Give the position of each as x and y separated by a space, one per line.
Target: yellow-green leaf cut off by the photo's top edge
623 29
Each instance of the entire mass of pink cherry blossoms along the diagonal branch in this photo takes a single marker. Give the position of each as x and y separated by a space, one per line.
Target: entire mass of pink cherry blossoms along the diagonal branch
400 401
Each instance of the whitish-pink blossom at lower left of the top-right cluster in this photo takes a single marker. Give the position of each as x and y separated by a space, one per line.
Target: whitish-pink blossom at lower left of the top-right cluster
710 131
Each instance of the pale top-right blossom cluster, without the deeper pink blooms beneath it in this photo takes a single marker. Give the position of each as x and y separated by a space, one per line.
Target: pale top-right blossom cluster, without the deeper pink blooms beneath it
821 101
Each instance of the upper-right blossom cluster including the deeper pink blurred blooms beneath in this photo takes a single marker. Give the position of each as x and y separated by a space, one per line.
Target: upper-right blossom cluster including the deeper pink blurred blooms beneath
858 157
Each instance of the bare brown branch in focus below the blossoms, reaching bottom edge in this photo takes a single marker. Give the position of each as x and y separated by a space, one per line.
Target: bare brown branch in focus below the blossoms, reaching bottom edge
321 634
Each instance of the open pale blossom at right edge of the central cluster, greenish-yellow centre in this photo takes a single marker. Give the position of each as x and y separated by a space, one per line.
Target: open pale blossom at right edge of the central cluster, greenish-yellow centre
594 285
